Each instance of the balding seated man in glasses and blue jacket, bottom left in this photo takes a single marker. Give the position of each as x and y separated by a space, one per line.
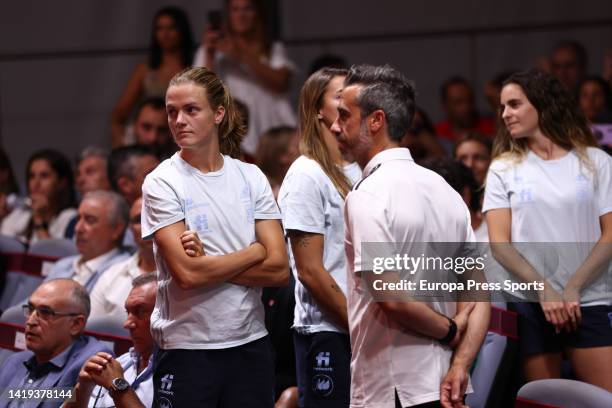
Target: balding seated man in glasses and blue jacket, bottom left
56 348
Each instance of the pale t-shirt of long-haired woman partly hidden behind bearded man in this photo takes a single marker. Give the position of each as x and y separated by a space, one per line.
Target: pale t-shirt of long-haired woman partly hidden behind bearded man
309 202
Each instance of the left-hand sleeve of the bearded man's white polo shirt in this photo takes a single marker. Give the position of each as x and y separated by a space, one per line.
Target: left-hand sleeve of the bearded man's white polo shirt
366 221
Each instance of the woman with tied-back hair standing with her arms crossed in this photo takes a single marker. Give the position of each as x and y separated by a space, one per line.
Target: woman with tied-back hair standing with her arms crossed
208 319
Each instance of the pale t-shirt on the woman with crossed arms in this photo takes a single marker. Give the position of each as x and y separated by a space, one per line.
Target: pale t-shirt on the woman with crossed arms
222 207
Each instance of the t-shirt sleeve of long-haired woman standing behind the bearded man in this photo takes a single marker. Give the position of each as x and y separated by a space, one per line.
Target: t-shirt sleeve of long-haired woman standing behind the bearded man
303 204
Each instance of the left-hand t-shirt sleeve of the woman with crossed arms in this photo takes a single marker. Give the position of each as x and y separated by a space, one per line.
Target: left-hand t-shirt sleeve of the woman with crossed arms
161 205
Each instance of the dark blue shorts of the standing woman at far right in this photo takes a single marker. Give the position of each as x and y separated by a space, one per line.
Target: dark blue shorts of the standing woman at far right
537 336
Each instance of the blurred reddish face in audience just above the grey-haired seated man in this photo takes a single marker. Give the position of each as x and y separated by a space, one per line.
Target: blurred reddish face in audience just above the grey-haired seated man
91 171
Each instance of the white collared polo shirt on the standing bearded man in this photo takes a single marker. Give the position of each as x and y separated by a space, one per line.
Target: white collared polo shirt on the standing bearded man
403 203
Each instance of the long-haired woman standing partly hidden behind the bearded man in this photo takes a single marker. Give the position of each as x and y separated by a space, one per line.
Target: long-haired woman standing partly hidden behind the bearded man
312 202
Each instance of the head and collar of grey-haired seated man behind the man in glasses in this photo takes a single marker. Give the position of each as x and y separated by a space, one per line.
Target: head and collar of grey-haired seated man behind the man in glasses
102 219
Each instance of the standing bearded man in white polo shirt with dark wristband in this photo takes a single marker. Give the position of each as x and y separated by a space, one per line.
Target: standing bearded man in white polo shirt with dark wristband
402 352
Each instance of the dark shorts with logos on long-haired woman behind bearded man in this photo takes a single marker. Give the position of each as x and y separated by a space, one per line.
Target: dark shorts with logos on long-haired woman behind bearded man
323 364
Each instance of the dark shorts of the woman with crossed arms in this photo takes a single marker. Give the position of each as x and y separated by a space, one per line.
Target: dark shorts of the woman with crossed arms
241 376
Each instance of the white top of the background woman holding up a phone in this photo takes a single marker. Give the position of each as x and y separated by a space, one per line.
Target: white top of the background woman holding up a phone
267 108
